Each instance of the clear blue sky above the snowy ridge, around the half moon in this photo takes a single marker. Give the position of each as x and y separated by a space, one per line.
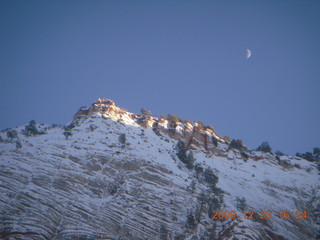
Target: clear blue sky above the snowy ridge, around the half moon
187 58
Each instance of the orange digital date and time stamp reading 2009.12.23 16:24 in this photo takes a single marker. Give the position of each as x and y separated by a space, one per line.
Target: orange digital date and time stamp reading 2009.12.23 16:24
259 215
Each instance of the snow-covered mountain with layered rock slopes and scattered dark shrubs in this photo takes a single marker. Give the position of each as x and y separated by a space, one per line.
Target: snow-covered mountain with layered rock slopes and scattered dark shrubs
112 174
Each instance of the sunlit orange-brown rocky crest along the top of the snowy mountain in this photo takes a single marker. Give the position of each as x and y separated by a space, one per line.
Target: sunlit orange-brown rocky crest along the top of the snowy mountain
193 134
